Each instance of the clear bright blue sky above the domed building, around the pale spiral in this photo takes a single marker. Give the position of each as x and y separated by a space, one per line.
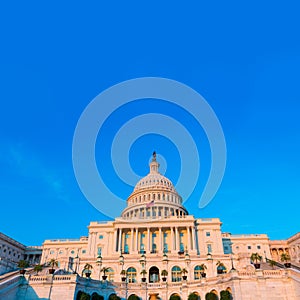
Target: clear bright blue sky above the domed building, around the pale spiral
243 58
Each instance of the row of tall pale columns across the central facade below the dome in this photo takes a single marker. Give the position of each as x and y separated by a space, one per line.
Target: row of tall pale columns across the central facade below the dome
173 242
